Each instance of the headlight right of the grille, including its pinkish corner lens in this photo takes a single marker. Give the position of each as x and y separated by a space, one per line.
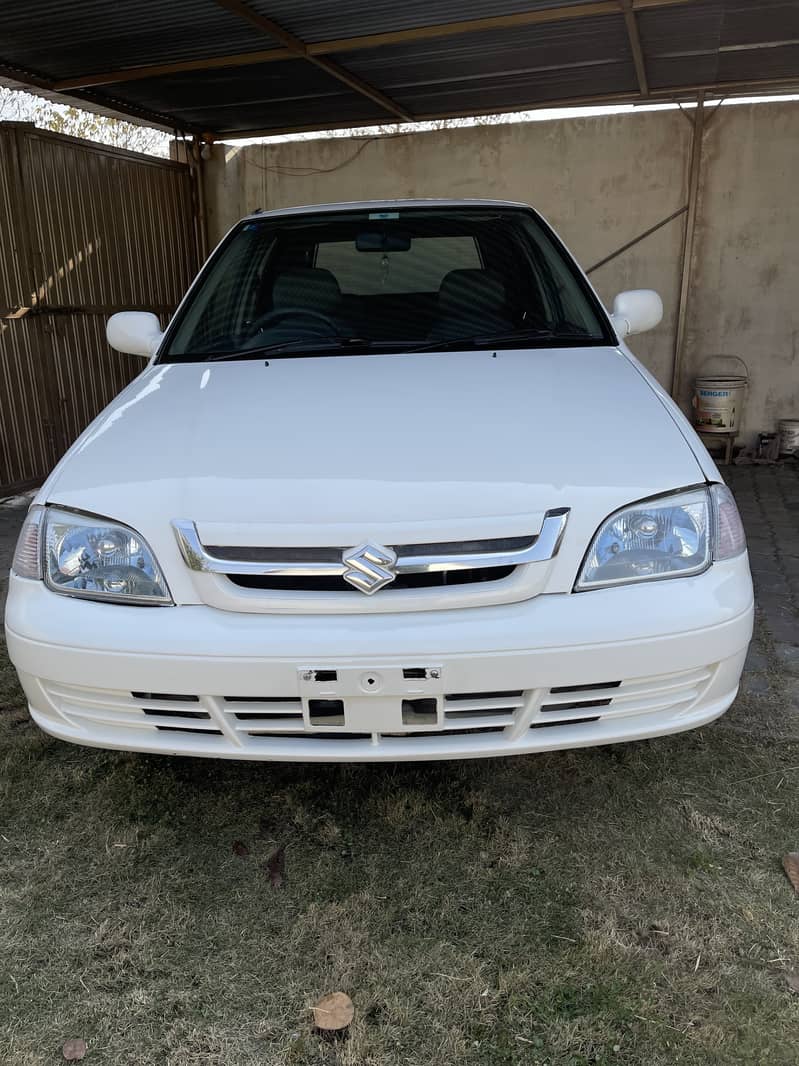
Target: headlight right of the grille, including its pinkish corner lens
674 537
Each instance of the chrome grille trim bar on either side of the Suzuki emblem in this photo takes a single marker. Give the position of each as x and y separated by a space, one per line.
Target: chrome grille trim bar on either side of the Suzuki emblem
260 563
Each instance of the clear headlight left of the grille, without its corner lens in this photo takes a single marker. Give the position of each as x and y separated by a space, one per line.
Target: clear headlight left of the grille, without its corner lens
100 560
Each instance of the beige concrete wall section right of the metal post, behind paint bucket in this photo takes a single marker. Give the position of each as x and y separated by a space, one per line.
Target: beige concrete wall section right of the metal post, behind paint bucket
745 294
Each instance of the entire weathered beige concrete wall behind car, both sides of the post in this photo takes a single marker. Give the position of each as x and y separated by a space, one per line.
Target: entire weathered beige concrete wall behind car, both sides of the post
601 182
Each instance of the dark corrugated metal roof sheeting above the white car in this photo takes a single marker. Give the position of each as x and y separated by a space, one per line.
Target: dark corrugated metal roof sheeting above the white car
586 56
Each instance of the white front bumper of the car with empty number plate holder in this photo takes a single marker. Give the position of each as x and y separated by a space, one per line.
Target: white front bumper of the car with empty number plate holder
556 672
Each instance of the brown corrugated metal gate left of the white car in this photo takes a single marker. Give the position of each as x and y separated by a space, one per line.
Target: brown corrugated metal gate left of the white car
86 231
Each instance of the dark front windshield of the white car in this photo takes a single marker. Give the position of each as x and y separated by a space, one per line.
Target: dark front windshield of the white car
388 281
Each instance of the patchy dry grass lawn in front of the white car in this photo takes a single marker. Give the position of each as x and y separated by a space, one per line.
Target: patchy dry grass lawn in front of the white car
613 906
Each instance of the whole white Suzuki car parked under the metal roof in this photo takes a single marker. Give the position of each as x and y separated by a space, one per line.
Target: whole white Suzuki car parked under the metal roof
392 487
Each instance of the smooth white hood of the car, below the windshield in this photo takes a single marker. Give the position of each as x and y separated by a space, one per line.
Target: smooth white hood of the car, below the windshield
337 450
